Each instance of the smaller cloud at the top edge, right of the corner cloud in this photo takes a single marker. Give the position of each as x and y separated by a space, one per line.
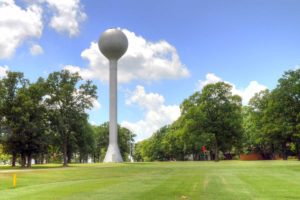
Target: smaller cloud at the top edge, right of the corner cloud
68 14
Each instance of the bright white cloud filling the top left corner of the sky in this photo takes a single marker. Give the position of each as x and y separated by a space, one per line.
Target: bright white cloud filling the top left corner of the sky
18 25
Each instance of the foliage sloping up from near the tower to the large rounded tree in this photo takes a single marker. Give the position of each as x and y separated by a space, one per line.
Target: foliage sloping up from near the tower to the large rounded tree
211 118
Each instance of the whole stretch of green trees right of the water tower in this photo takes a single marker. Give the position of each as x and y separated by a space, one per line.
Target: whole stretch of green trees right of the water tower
215 124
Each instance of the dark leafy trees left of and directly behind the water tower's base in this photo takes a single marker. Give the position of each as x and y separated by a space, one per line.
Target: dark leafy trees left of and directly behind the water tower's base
47 120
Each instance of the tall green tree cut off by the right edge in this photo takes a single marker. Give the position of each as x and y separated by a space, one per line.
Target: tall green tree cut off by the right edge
284 111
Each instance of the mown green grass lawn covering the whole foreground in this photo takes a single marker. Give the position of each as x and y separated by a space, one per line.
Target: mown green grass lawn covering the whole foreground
160 180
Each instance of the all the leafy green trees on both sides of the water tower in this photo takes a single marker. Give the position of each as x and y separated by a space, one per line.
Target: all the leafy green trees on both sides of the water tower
47 120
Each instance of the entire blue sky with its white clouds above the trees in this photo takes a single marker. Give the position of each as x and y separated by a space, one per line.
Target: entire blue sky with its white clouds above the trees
176 48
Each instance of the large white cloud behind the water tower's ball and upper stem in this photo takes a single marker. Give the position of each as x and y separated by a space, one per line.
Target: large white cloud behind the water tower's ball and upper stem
143 60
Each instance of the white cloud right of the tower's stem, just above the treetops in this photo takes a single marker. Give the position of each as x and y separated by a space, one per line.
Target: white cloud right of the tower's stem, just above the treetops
157 114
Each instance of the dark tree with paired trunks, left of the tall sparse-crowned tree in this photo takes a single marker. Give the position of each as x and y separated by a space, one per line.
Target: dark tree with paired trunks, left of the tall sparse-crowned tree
31 122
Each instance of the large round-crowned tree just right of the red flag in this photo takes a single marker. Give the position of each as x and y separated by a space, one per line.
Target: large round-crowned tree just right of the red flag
221 116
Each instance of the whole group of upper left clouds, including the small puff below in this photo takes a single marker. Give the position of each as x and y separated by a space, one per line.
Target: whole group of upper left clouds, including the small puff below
19 24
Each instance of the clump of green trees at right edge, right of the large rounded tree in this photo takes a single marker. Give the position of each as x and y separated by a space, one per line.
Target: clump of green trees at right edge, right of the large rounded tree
271 121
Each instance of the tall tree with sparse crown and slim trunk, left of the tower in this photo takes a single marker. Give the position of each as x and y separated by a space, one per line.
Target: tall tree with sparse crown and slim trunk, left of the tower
67 103
